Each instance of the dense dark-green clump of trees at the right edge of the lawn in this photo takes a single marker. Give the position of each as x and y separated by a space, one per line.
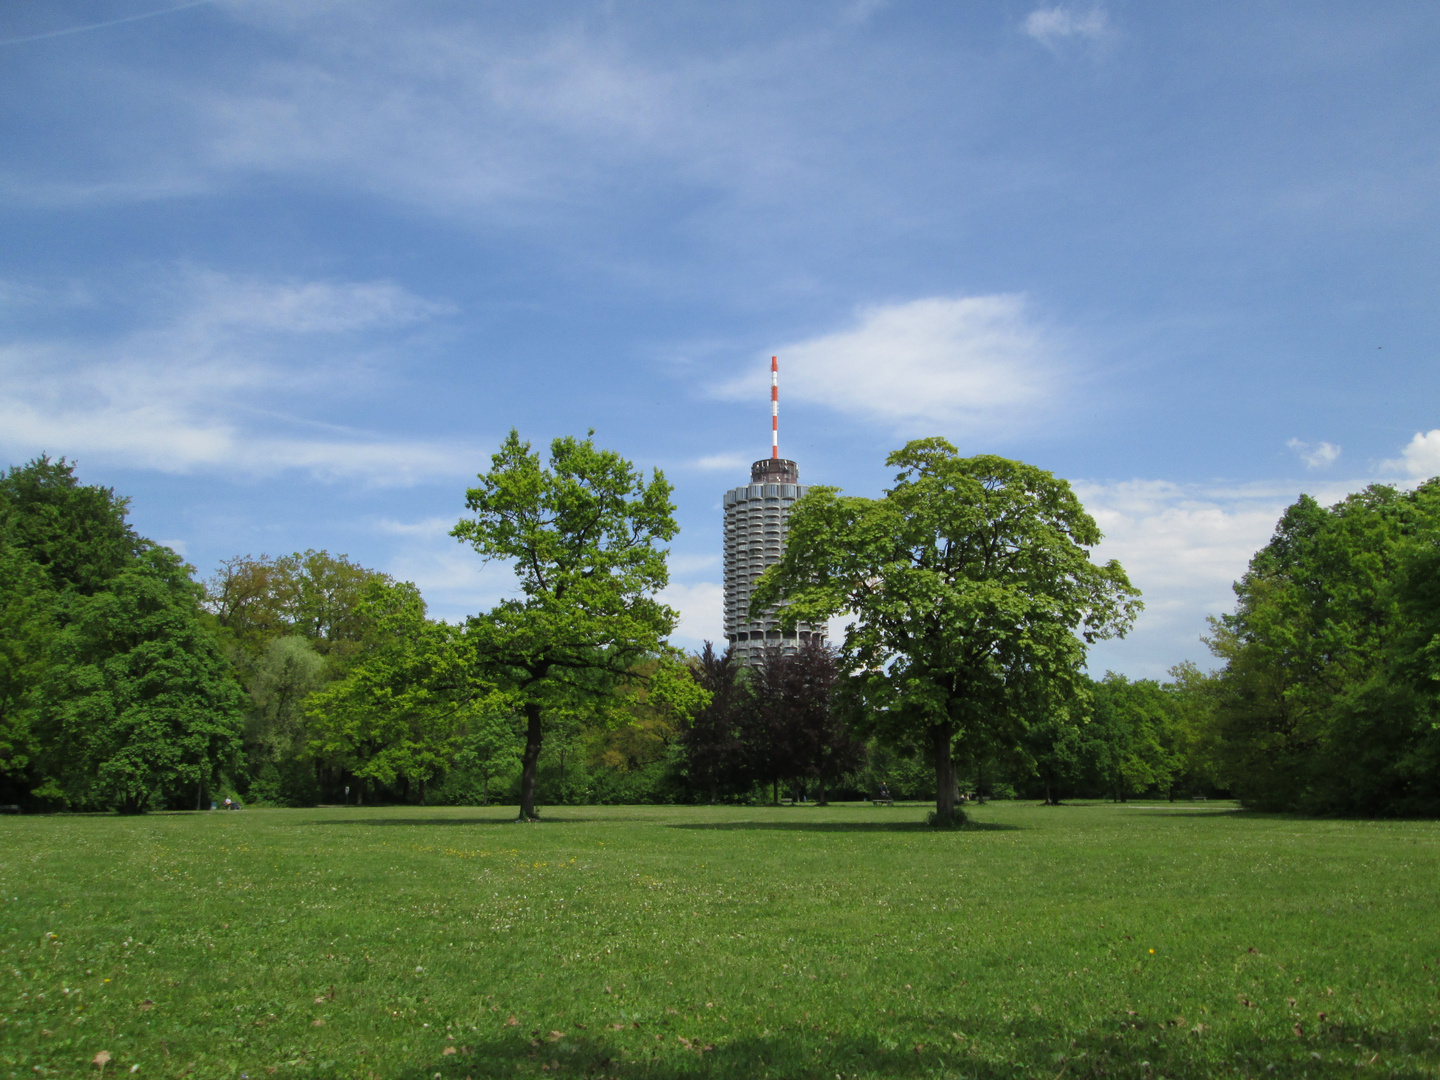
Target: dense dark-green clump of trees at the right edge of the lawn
1324 703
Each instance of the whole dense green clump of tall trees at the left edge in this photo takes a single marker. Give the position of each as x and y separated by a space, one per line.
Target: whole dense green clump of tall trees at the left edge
113 692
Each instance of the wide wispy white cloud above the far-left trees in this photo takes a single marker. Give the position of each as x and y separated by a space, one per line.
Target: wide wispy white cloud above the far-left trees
197 390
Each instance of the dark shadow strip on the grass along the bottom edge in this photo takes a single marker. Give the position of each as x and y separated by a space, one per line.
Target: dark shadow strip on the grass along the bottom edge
950 1048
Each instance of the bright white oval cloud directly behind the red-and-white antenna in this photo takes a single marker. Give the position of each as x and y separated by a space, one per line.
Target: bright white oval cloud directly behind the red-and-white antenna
976 362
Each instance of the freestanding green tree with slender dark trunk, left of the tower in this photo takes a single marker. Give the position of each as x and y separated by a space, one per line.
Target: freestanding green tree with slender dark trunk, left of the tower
584 535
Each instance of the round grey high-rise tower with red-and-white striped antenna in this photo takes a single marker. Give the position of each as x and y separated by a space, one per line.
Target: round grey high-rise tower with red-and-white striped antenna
755 525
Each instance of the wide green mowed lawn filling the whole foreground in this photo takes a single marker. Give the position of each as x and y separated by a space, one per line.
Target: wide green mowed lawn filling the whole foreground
734 942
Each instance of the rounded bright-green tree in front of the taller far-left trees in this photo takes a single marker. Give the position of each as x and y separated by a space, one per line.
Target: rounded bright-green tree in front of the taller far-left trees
139 706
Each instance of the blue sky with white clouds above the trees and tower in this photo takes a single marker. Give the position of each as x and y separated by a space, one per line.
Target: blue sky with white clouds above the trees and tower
286 271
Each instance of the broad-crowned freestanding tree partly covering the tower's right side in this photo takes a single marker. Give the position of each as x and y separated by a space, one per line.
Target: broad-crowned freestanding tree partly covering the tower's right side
973 593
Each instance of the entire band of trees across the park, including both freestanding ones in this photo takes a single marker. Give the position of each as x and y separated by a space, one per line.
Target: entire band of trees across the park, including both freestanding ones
127 685
